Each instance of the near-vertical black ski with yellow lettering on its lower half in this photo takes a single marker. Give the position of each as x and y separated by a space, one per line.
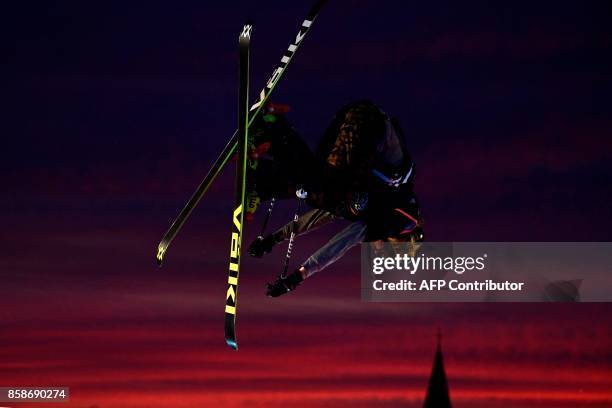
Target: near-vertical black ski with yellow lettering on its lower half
231 296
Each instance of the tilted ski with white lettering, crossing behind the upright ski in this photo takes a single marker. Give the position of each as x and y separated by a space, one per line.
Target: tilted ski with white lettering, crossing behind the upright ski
230 149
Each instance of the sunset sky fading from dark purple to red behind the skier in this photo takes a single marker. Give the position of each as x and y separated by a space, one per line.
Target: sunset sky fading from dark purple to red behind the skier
113 113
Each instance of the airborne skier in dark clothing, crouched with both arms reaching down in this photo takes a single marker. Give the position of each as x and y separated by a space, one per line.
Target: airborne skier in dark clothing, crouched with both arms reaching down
361 172
